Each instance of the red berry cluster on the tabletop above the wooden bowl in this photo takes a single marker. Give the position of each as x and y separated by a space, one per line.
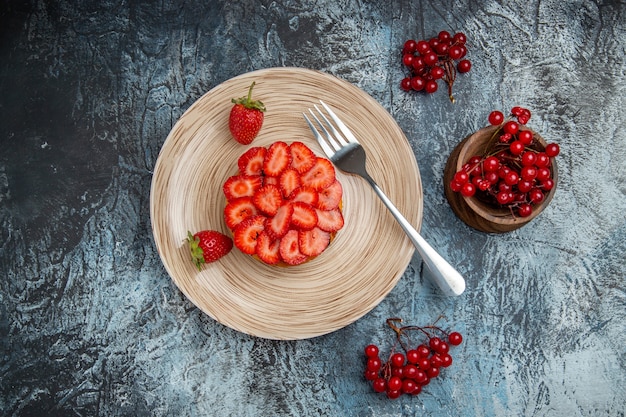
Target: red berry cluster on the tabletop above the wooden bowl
432 60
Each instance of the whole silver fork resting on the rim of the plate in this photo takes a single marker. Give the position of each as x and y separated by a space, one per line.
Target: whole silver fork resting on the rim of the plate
344 150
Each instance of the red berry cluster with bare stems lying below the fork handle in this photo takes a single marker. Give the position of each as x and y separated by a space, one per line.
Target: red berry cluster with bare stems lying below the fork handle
408 371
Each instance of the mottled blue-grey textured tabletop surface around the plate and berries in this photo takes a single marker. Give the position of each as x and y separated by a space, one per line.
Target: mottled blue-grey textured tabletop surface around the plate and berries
90 323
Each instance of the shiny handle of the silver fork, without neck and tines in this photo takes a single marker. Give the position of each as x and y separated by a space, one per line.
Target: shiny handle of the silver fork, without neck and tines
445 276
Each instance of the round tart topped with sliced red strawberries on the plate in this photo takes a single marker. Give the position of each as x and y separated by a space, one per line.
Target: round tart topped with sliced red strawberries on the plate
284 204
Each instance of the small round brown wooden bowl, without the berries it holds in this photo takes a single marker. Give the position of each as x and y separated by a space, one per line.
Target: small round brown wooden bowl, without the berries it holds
479 214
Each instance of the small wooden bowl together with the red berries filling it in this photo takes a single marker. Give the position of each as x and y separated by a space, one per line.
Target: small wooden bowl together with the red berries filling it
503 176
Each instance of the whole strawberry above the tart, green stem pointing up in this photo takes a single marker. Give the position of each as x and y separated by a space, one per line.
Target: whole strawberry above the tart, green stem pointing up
246 118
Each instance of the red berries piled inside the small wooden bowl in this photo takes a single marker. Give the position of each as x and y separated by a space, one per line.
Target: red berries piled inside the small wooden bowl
514 172
